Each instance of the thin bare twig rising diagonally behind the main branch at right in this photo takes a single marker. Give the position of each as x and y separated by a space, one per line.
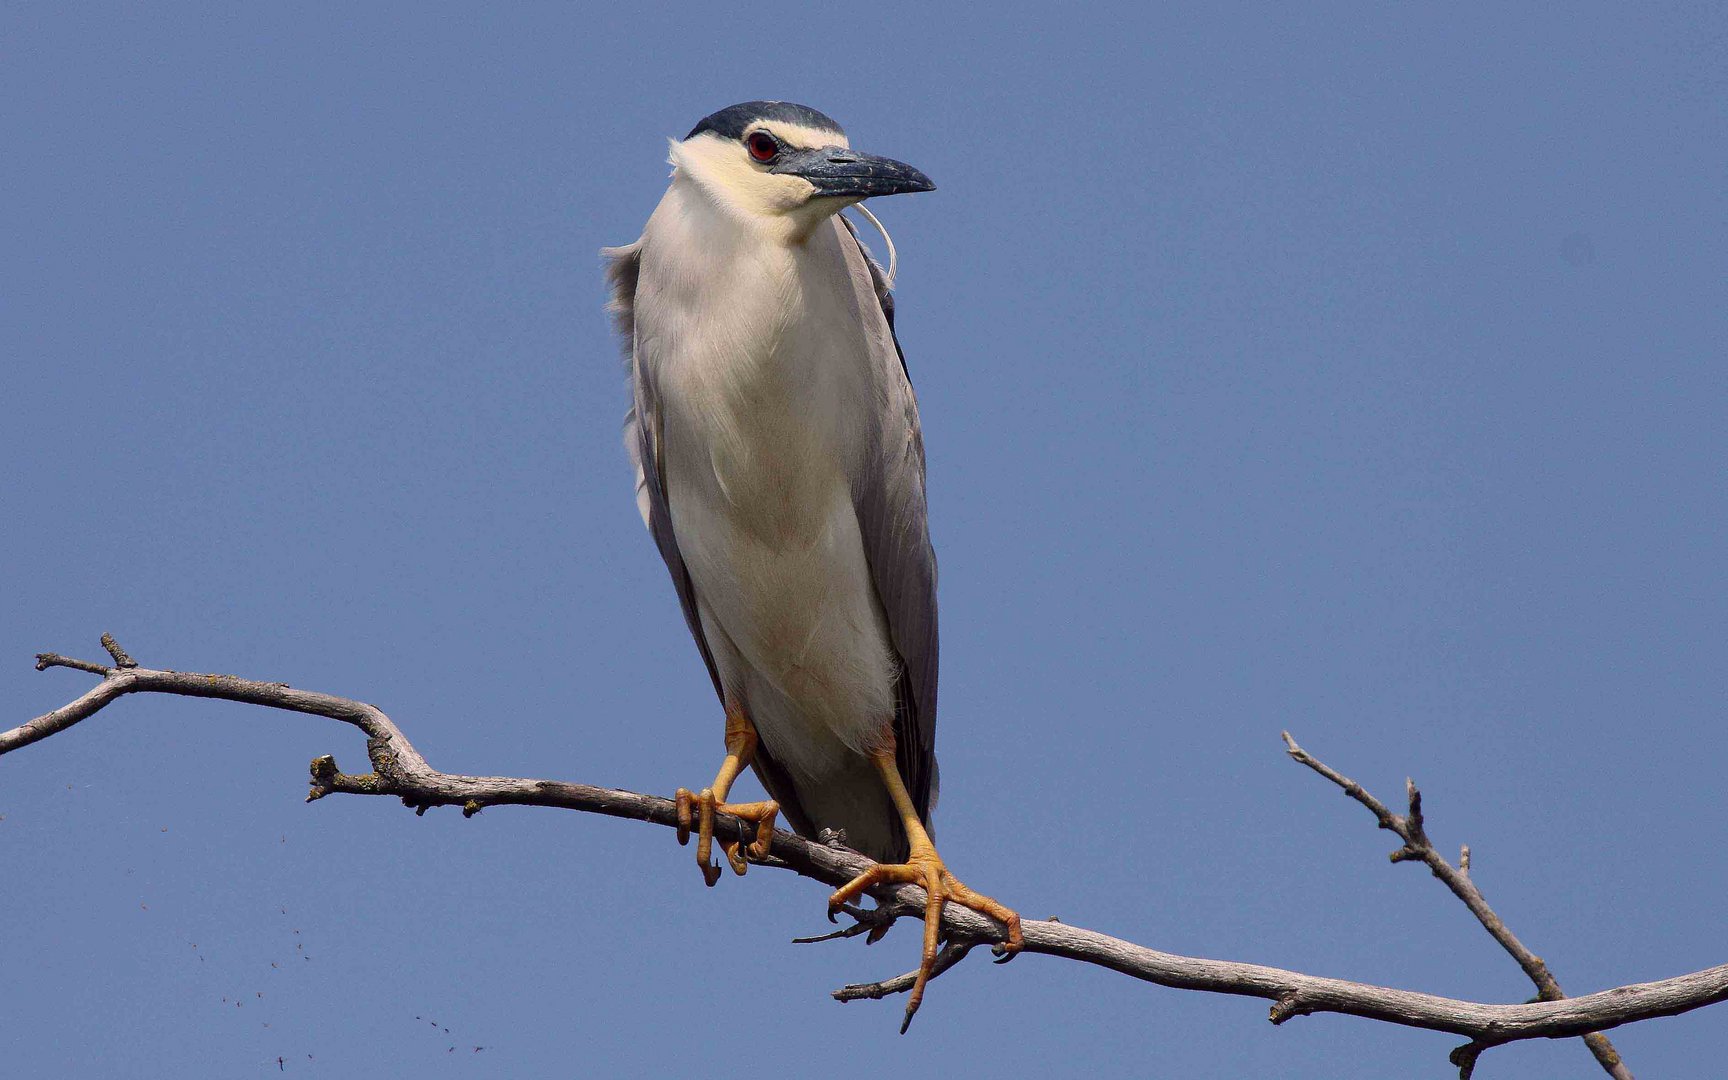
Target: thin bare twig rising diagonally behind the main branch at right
1458 879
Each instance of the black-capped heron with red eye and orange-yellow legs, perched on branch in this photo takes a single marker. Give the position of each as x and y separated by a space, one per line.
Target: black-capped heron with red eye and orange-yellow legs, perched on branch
780 471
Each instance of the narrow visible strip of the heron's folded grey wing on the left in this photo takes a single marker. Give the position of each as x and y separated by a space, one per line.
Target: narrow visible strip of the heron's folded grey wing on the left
642 440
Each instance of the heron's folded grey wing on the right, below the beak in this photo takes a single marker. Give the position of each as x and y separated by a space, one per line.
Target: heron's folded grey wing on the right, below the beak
894 521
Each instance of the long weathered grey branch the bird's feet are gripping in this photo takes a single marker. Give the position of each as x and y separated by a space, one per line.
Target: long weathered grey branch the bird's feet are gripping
402 772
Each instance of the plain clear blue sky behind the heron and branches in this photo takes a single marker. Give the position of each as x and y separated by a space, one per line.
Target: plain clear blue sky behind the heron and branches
1354 371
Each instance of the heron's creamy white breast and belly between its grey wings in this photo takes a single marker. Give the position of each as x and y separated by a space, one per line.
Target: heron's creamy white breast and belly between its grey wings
765 383
